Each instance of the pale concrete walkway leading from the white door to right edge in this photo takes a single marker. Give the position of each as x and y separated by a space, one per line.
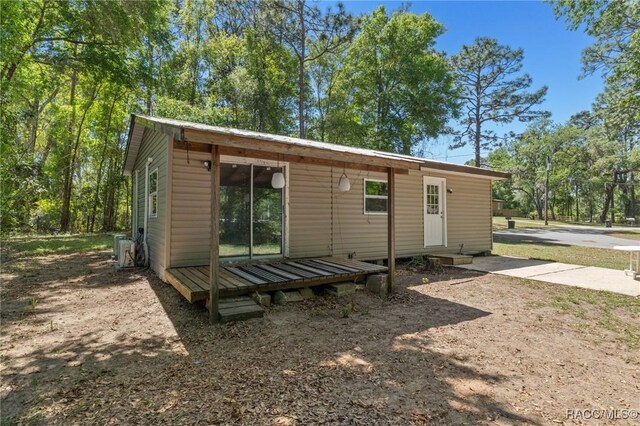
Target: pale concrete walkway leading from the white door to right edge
558 273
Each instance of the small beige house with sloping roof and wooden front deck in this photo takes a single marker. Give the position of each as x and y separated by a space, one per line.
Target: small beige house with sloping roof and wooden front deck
224 212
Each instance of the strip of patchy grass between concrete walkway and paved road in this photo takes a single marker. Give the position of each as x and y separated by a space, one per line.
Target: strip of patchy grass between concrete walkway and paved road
586 256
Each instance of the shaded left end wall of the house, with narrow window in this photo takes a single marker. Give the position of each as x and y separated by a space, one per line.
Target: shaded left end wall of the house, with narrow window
154 145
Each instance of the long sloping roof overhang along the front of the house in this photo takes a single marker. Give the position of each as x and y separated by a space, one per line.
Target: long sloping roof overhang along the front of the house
285 146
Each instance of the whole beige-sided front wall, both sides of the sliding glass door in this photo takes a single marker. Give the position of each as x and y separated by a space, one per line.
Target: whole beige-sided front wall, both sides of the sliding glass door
324 221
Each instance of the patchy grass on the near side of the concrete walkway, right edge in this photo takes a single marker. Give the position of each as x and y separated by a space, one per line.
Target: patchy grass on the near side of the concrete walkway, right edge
614 312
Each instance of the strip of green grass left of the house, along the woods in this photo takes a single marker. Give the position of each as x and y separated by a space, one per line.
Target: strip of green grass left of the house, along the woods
50 244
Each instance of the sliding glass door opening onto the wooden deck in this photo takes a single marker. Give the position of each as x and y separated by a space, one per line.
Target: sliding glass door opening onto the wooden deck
251 211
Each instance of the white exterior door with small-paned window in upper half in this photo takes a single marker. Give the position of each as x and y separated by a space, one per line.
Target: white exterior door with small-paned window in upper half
435 211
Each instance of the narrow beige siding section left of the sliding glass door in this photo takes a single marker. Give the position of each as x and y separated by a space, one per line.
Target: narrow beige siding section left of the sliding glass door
191 209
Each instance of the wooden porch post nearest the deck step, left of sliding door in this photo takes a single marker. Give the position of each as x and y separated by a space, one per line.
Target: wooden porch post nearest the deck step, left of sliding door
214 259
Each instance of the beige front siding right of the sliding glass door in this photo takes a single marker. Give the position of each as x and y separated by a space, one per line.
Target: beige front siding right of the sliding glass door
313 217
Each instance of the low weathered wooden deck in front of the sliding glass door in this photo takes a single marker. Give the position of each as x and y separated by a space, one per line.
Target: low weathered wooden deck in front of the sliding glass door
238 279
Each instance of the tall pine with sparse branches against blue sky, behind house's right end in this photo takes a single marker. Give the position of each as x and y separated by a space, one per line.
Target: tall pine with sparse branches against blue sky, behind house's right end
491 91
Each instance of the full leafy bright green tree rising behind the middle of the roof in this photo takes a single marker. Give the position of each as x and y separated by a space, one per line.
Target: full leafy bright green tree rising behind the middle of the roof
395 89
